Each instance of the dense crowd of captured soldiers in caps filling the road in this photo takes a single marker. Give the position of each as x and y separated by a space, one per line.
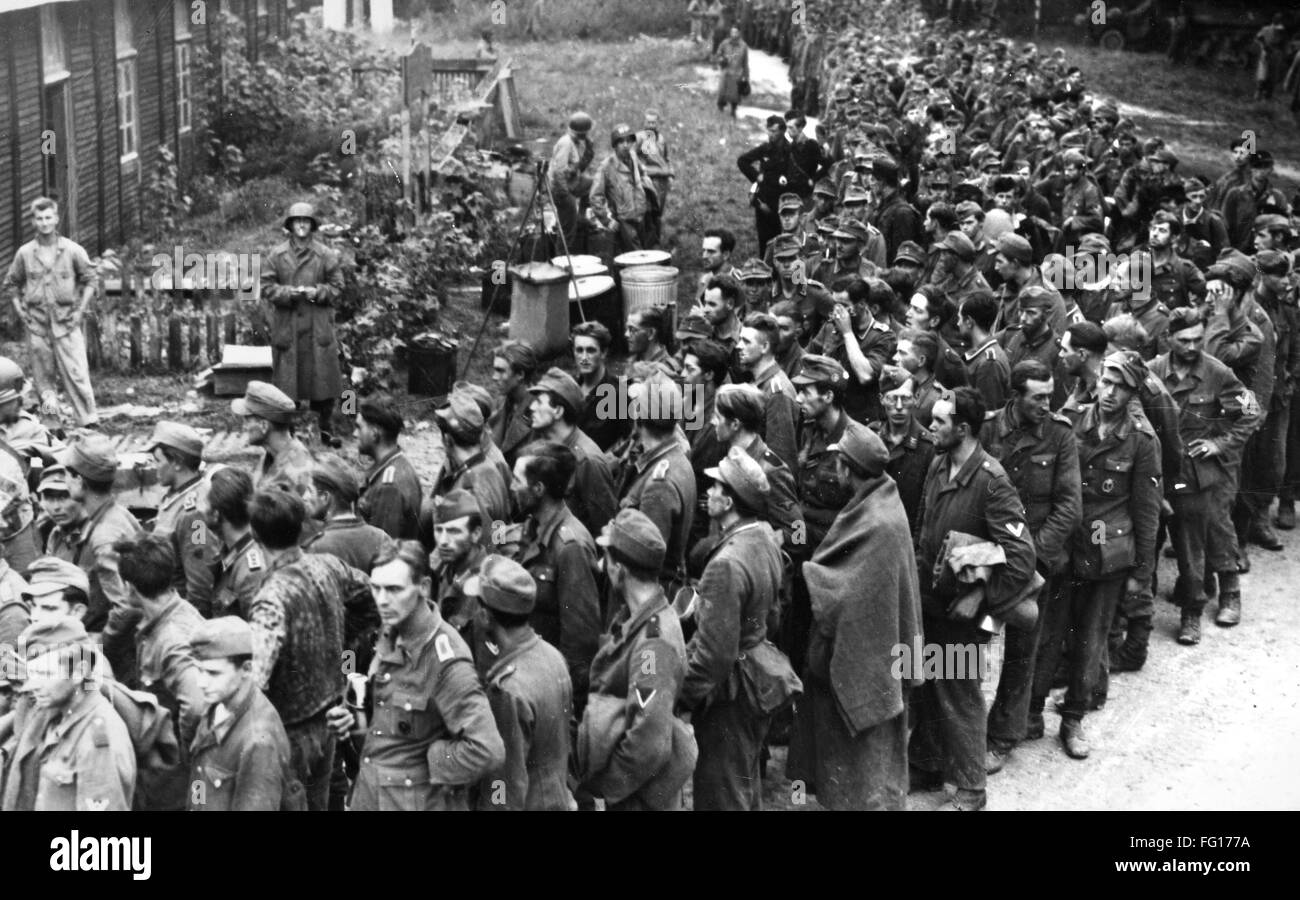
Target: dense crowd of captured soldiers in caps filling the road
935 408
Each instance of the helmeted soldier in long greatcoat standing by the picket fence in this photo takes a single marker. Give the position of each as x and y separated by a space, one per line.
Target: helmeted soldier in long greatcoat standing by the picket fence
302 282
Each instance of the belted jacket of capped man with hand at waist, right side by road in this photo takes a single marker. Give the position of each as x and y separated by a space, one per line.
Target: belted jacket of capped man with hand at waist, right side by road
1215 406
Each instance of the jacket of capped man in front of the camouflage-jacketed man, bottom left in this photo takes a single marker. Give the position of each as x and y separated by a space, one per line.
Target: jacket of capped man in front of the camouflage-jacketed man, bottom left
244 761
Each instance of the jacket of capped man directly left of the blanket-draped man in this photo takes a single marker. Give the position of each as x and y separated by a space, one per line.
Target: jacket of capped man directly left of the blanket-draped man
740 586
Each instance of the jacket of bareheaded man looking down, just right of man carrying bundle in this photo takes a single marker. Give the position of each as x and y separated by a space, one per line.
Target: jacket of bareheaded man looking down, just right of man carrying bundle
1043 465
